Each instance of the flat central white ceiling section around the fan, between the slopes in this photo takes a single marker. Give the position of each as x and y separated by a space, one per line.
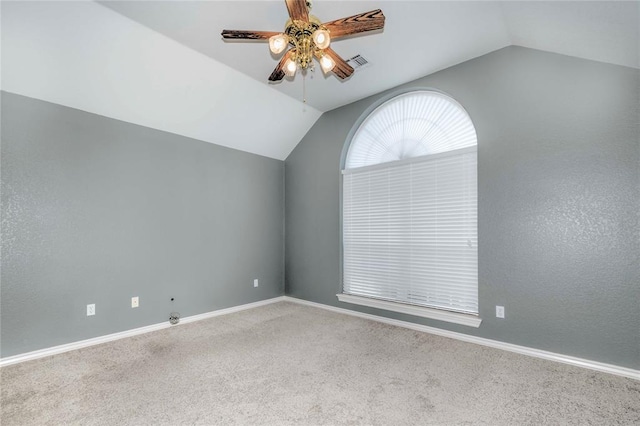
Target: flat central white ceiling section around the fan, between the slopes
419 38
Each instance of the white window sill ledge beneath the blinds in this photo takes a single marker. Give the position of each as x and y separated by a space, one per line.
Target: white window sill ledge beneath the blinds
419 311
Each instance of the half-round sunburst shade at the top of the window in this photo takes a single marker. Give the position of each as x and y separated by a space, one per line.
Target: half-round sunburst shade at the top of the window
410 125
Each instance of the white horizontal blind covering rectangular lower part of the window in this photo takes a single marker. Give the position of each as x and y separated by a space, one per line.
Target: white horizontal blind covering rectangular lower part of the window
410 231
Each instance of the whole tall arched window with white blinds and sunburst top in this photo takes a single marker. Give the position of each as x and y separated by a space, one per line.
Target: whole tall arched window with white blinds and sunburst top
410 235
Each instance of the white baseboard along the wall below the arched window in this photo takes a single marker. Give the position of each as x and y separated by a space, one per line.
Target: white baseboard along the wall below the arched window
537 353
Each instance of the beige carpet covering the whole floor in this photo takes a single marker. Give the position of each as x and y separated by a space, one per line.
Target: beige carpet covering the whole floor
287 364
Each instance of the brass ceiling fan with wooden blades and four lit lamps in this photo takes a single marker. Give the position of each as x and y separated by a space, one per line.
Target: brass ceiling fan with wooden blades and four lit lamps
308 37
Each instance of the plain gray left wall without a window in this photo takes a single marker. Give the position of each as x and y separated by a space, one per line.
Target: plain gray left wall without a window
96 210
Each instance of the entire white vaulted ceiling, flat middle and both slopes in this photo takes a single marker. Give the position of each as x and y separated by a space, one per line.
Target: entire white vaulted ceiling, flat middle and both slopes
164 65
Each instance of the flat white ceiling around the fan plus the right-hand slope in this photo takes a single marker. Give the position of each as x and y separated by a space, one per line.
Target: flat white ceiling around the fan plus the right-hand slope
420 37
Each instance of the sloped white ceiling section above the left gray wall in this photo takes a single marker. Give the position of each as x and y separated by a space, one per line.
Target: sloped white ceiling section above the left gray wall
86 56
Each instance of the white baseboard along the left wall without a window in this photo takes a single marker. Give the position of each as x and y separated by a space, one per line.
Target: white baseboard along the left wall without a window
41 353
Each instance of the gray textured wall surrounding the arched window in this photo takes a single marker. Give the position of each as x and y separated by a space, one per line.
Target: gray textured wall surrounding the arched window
559 190
